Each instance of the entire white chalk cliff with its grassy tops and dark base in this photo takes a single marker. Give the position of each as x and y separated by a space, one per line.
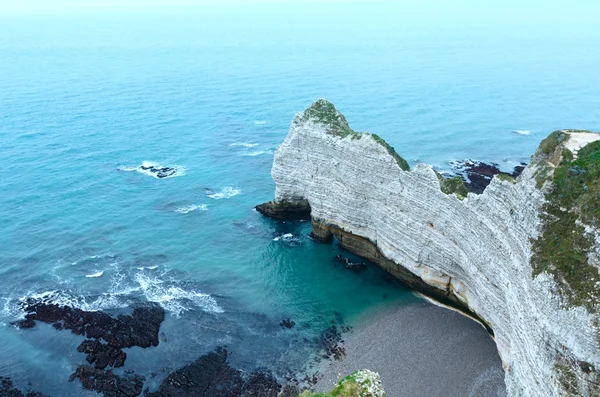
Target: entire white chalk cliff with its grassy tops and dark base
523 256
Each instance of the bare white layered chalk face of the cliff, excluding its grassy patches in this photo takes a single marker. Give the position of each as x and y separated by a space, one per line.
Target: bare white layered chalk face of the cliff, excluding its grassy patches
479 247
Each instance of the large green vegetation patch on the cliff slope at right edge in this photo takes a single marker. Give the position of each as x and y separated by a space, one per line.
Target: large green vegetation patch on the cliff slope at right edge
563 246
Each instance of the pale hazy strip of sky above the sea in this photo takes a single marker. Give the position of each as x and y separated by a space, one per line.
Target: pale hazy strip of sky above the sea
494 10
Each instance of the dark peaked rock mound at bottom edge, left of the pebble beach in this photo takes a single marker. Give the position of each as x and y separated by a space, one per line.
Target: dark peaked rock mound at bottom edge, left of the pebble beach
210 375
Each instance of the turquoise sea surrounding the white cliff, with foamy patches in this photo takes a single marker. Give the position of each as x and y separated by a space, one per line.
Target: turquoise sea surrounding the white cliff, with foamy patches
84 100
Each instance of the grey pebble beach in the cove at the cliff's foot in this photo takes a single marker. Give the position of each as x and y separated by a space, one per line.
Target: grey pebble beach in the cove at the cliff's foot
455 356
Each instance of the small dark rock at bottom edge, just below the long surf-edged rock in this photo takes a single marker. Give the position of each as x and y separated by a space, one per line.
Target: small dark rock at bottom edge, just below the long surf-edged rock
107 383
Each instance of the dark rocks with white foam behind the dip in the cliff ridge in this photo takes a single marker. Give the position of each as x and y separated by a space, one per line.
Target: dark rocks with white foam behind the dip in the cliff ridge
477 175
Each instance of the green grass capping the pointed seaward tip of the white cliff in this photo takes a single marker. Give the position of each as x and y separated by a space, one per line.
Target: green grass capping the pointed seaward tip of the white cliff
326 113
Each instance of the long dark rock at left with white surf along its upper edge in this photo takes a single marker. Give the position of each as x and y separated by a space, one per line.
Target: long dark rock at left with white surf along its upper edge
111 334
